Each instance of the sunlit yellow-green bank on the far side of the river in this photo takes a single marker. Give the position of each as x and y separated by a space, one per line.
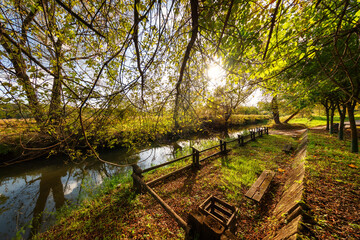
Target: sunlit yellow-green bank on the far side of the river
20 142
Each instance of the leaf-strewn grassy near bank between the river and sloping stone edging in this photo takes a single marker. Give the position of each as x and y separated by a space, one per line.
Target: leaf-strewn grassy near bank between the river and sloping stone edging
120 214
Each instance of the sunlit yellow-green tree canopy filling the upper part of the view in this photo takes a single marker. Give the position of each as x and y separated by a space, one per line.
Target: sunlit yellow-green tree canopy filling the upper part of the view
80 66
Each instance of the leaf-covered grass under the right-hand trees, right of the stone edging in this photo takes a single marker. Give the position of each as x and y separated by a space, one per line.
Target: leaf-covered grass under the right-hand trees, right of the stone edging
332 187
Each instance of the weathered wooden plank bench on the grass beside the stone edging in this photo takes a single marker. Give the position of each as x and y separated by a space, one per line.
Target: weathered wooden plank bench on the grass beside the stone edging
259 188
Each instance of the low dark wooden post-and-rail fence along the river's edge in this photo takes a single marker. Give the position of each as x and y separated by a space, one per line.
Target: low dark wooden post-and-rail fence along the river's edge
140 185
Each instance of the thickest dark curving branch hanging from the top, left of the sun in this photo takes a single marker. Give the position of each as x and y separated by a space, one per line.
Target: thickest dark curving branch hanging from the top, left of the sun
194 33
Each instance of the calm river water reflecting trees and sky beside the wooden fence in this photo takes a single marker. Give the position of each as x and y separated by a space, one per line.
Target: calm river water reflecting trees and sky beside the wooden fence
39 188
